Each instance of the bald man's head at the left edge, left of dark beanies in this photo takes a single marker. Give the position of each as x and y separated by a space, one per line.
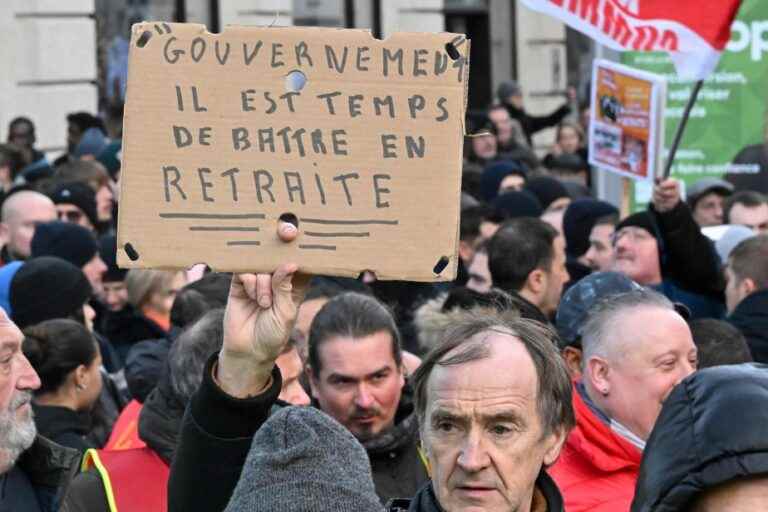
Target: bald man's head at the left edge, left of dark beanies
21 213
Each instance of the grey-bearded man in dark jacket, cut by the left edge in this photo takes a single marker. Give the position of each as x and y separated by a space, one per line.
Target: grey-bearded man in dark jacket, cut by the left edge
34 472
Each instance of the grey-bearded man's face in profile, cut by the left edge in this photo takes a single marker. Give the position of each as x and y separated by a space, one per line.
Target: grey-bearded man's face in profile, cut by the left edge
17 381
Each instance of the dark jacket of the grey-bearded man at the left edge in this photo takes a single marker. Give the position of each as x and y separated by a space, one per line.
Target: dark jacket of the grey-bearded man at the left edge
48 468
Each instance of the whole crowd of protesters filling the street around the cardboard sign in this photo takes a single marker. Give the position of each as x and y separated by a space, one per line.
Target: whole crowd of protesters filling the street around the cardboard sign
584 359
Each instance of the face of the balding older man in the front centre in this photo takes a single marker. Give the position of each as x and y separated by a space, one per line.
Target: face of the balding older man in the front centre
482 431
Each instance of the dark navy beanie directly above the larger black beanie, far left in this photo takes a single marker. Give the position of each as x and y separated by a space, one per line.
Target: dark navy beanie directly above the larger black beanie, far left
64 240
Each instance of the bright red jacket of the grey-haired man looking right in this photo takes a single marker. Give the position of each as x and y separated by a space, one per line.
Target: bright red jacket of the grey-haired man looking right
597 469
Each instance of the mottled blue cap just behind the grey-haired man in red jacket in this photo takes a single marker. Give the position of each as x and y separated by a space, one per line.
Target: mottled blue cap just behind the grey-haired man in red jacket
581 297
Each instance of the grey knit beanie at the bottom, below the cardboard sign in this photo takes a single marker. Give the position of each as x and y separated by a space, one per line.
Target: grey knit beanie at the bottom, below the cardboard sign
301 460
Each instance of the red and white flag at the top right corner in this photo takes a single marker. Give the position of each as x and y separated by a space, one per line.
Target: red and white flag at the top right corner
693 32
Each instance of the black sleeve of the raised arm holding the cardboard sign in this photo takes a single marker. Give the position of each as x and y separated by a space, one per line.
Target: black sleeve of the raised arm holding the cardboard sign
214 441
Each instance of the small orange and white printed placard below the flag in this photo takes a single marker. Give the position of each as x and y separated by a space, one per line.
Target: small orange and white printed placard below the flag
625 132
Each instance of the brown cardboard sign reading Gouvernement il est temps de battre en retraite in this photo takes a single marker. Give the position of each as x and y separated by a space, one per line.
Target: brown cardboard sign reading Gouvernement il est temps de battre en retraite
359 139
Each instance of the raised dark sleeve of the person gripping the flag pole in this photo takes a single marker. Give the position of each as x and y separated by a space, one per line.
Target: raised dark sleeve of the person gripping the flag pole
690 257
